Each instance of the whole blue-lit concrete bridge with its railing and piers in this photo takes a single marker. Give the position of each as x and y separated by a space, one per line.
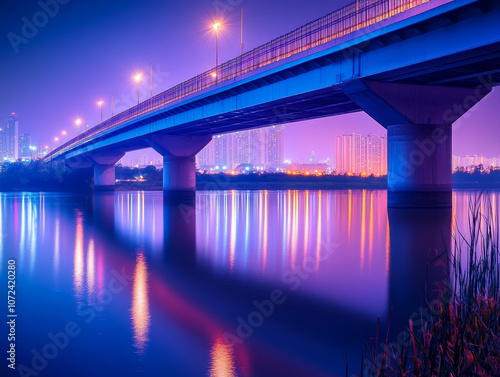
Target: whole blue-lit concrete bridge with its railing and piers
415 66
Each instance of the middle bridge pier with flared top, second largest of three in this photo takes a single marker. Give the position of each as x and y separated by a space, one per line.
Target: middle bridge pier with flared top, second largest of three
179 169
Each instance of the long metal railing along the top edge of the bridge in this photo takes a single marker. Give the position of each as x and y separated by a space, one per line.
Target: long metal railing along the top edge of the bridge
334 25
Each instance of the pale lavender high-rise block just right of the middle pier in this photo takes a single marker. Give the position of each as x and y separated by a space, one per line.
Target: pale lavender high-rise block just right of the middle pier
261 148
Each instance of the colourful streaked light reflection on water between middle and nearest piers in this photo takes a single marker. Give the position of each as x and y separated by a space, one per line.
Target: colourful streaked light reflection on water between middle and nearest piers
267 234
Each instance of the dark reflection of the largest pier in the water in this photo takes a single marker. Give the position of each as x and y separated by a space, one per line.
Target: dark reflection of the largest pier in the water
420 244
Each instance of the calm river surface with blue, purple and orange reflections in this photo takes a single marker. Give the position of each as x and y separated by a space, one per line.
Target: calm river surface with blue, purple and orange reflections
152 286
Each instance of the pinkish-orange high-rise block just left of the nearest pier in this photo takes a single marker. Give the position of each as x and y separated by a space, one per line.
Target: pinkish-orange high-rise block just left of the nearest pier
361 155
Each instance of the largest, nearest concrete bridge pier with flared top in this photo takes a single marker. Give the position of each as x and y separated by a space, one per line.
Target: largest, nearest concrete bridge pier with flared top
419 122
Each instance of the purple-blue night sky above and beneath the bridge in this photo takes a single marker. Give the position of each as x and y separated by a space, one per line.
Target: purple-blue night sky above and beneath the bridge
90 49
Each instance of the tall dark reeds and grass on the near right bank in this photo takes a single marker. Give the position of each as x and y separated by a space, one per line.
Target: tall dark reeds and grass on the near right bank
460 333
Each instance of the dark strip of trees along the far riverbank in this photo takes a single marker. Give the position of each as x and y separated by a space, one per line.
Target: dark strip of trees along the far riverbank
39 176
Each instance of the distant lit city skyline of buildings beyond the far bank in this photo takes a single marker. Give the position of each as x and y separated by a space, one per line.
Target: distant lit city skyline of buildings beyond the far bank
16 145
